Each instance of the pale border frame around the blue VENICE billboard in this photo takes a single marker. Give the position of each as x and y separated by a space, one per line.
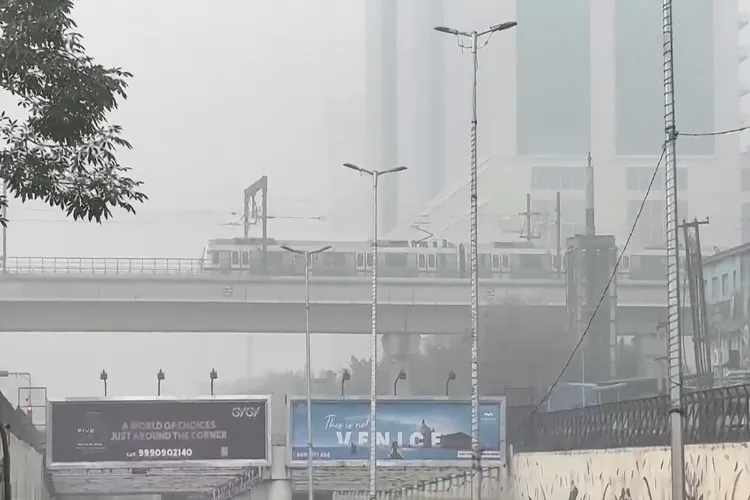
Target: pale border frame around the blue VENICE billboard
363 463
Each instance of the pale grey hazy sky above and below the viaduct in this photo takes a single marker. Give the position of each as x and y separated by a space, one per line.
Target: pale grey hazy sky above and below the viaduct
219 98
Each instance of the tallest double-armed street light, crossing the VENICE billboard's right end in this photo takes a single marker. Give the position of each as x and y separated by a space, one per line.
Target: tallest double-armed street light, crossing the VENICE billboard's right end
476 452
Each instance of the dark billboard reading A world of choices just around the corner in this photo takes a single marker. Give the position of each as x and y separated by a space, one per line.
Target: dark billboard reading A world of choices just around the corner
116 432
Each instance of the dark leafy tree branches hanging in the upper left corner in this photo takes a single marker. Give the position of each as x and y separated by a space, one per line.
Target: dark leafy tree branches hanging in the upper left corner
63 151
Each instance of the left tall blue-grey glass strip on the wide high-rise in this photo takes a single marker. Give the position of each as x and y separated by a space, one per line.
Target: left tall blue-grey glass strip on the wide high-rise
553 78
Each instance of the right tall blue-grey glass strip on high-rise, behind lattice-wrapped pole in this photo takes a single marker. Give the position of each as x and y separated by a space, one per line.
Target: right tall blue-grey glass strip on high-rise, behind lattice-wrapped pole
639 85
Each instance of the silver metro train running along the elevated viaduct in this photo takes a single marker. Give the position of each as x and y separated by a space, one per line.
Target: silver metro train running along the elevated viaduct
408 259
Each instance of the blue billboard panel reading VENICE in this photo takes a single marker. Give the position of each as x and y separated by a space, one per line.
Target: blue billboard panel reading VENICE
409 432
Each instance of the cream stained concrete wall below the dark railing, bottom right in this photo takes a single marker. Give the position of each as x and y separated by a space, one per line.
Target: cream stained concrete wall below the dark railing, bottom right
720 472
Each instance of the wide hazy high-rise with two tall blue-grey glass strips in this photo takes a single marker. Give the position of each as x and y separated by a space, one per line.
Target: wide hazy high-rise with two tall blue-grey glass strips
586 76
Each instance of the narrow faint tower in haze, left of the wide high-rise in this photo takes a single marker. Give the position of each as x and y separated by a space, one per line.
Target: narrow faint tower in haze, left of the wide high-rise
405 103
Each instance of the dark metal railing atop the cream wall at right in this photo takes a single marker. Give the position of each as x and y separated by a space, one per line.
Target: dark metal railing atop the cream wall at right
718 415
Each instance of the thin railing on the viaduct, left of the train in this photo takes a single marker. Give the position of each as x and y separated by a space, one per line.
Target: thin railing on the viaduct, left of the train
103 265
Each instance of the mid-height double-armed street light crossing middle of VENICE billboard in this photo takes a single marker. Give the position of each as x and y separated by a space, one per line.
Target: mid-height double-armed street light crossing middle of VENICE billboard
375 174
